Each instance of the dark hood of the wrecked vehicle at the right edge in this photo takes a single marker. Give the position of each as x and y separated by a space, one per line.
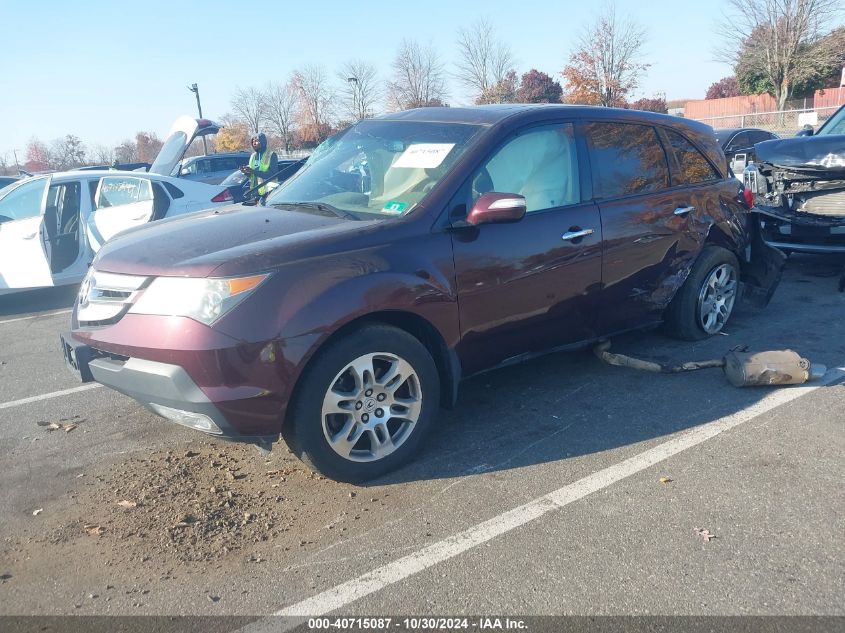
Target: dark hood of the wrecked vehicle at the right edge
821 155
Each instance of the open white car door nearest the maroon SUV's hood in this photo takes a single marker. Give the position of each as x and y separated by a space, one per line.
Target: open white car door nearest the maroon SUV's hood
121 203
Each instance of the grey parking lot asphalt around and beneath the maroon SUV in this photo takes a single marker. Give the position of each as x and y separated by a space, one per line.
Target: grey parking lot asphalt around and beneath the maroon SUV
540 493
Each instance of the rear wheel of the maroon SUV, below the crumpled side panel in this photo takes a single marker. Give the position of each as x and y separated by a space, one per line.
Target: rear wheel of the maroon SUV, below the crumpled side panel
705 302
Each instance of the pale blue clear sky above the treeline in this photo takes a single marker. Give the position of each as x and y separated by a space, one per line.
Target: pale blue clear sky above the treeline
105 70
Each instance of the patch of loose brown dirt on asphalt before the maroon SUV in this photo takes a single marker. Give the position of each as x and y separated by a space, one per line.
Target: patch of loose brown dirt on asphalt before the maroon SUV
205 504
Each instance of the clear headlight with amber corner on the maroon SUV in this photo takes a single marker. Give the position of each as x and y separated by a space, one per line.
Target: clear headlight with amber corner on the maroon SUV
204 300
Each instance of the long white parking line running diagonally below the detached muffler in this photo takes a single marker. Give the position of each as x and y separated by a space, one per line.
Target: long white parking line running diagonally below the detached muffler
391 573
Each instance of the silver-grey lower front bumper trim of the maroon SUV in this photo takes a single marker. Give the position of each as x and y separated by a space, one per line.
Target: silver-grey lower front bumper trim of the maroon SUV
166 389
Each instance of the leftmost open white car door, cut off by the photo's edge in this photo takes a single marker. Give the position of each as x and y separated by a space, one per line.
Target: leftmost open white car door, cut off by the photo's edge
23 259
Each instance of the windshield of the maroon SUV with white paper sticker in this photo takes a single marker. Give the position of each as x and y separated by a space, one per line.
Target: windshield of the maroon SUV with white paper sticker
379 167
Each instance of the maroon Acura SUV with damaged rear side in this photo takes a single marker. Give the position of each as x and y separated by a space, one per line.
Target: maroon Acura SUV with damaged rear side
415 250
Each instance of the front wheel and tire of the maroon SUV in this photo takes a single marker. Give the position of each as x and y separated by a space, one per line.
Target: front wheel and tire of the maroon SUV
365 404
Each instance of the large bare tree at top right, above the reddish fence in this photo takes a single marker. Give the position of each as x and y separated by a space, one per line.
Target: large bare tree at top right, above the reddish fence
777 39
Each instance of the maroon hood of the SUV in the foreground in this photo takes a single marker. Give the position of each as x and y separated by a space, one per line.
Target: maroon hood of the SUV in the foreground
228 240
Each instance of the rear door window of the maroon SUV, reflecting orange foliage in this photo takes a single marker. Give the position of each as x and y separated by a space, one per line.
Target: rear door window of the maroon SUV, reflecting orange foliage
627 159
